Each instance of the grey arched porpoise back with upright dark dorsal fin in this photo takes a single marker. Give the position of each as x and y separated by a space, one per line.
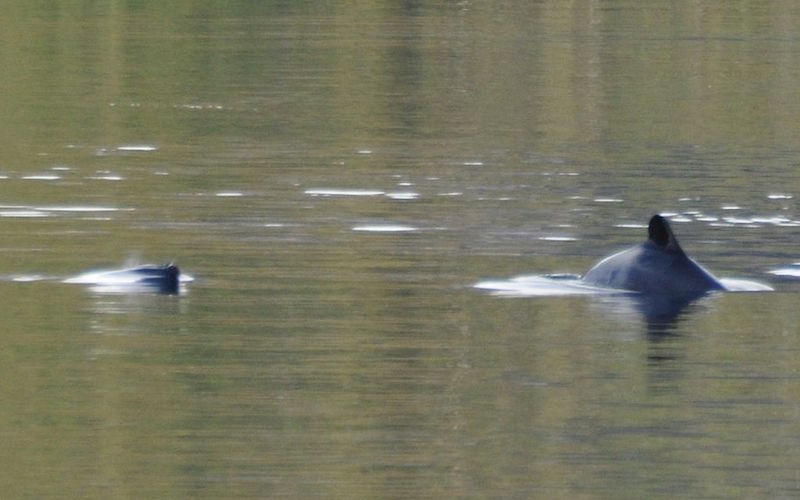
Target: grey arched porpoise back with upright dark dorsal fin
657 266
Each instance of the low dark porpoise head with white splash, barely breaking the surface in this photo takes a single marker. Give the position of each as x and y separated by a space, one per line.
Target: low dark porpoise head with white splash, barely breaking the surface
161 278
